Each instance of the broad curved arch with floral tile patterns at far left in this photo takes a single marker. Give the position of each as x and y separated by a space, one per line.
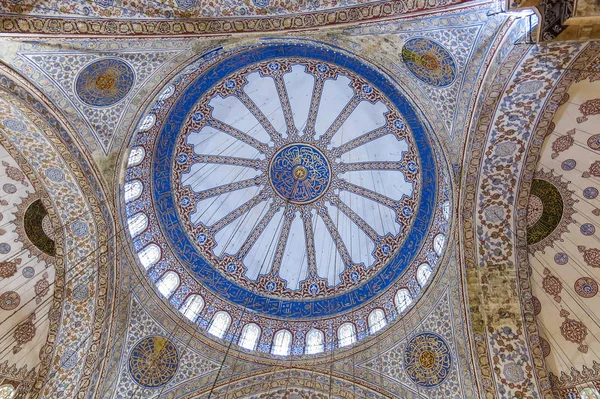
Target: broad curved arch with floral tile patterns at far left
82 279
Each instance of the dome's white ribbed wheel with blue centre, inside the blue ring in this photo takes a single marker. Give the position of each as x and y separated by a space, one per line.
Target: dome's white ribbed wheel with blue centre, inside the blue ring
296 178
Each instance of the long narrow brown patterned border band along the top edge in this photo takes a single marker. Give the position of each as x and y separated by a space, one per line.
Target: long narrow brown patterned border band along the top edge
19 24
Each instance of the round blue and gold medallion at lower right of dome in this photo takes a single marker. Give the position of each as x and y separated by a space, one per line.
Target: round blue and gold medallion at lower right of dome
427 359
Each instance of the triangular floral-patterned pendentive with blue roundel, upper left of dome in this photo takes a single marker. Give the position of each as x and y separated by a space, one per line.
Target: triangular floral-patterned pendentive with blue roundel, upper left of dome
97 88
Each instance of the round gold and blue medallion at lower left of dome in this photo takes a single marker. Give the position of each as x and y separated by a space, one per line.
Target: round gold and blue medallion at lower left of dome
153 361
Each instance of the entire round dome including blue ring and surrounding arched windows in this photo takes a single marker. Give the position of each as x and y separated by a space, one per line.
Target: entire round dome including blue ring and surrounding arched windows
394 261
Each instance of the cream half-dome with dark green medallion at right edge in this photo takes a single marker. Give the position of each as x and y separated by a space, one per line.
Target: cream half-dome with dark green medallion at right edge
563 217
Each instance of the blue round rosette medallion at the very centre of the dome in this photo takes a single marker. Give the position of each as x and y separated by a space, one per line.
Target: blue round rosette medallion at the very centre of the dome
300 173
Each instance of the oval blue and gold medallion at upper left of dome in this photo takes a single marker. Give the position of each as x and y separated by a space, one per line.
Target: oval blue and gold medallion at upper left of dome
104 82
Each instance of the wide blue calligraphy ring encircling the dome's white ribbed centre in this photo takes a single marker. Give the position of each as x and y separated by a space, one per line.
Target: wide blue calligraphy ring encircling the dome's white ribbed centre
175 232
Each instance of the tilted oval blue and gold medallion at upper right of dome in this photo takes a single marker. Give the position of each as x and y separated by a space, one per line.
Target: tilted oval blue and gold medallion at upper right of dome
429 61
